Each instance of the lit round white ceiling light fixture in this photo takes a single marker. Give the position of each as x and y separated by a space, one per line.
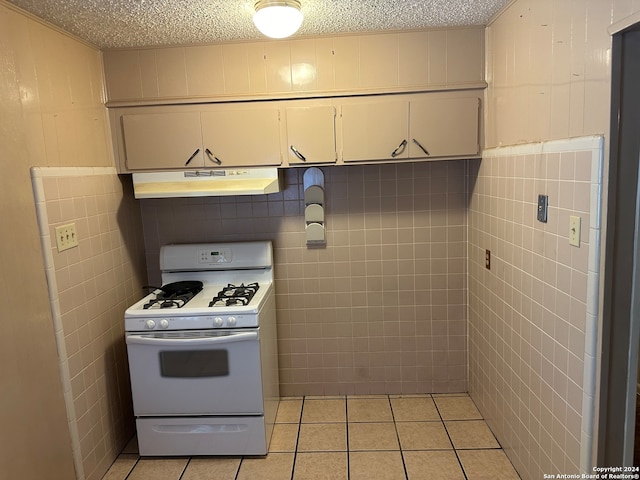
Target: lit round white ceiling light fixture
278 18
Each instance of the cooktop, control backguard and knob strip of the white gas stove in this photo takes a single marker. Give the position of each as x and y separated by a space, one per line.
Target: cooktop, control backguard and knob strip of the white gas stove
206 286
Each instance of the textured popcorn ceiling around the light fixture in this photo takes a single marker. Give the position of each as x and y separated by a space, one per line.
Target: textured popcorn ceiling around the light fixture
135 23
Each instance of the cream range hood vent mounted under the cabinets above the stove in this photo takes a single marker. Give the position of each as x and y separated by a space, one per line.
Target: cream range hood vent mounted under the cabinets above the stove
206 183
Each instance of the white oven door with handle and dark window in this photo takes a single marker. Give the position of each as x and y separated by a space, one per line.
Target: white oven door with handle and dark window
208 372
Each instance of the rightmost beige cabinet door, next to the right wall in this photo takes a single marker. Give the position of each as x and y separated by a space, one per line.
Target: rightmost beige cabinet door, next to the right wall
444 127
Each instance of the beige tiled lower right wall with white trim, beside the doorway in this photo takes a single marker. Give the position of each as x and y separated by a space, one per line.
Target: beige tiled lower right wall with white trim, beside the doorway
533 315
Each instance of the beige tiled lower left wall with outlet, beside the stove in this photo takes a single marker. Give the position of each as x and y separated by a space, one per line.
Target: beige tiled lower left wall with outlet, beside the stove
90 287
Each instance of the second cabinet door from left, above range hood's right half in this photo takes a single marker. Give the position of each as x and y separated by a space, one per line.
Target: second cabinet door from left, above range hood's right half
241 137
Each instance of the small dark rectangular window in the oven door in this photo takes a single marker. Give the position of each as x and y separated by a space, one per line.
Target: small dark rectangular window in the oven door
194 364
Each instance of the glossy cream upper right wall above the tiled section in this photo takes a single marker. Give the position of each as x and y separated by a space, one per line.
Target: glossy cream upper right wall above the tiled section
549 70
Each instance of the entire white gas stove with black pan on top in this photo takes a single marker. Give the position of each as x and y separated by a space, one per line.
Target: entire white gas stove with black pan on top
202 352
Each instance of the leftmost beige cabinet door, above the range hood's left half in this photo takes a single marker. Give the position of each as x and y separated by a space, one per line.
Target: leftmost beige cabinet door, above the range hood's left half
162 140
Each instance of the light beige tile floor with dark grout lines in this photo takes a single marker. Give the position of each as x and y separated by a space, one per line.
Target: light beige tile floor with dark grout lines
377 437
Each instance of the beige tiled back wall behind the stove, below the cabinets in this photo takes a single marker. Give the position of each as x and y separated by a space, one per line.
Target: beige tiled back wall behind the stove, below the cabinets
381 309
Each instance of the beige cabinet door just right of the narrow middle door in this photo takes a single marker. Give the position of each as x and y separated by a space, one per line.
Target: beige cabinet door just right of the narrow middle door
375 131
